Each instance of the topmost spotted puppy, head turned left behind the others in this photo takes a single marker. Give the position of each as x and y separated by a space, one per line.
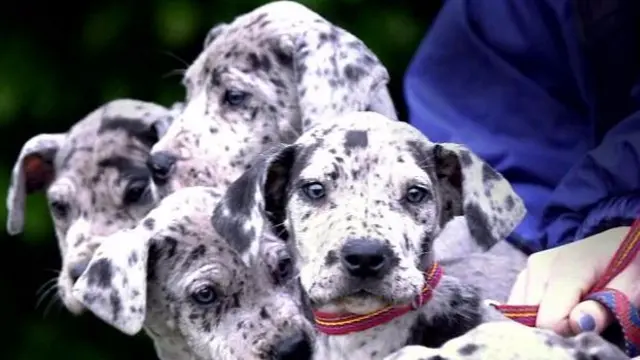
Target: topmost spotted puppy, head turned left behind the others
263 79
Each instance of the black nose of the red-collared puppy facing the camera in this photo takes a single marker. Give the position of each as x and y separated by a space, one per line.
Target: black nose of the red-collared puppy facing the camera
366 258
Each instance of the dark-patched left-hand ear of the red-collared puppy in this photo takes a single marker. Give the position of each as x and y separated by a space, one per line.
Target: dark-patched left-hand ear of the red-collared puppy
257 198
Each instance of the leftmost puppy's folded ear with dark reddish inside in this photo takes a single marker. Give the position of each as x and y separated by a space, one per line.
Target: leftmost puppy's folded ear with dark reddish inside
33 171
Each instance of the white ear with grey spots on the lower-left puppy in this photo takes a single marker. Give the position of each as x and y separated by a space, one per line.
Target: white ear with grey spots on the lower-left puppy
114 285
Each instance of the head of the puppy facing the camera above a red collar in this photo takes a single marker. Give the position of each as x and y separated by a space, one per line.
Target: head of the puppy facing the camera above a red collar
361 199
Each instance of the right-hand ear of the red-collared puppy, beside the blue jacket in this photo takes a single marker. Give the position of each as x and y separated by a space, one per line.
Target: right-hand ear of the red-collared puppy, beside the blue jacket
472 188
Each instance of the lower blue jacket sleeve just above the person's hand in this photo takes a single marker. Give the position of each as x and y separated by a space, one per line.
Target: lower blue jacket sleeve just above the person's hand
601 191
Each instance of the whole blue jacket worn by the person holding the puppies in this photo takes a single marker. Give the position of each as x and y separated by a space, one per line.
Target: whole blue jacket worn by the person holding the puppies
546 91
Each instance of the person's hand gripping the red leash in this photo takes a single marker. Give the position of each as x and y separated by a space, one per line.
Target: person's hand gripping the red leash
557 279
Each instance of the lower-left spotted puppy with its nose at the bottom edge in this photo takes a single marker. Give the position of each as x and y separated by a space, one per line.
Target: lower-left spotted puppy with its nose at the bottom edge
187 284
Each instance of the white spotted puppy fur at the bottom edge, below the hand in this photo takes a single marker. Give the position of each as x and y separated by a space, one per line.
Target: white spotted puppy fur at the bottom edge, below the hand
506 340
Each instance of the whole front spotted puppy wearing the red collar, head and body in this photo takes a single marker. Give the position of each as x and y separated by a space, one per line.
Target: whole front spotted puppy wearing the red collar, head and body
360 200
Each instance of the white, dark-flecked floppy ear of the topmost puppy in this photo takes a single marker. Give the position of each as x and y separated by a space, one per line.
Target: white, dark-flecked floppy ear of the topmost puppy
335 72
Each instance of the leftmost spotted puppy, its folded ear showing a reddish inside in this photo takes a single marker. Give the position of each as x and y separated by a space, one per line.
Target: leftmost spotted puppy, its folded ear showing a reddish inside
95 178
